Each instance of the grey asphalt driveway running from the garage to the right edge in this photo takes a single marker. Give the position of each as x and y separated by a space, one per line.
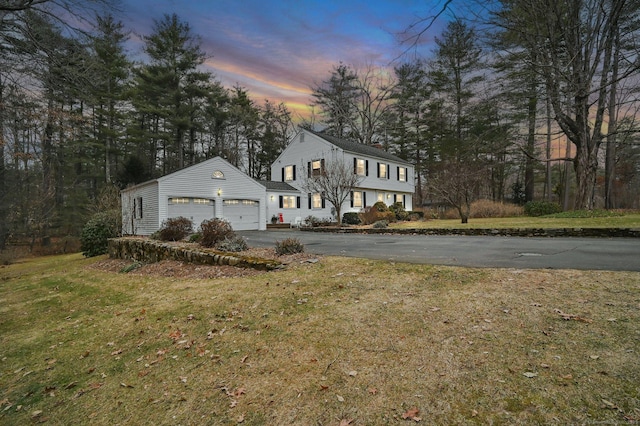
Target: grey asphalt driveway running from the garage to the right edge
613 254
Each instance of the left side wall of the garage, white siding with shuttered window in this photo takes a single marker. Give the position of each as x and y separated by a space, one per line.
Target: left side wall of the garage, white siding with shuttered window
132 224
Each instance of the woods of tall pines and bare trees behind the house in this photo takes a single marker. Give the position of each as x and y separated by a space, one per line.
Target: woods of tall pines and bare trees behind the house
529 100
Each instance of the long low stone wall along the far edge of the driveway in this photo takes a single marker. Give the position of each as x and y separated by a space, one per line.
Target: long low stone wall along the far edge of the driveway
506 232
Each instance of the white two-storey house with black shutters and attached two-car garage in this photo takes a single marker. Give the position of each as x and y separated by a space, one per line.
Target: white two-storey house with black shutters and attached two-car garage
215 188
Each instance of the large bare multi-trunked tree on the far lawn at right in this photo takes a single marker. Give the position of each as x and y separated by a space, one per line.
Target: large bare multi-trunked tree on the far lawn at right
573 51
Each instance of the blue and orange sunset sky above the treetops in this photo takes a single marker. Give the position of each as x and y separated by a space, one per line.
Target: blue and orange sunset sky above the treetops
279 49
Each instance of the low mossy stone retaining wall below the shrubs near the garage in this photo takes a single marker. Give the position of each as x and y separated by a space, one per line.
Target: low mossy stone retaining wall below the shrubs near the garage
149 251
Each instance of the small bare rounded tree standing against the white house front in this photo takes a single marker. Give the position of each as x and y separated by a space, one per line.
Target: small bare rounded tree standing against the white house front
334 183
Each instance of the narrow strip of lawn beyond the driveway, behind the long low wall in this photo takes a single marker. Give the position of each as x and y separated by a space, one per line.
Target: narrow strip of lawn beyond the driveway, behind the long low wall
629 220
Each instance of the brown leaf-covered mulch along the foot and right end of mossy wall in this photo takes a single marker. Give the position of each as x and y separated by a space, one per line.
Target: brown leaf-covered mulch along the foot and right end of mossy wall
172 268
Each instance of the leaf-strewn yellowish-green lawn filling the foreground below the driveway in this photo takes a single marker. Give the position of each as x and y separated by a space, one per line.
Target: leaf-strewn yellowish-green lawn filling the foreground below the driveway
318 344
